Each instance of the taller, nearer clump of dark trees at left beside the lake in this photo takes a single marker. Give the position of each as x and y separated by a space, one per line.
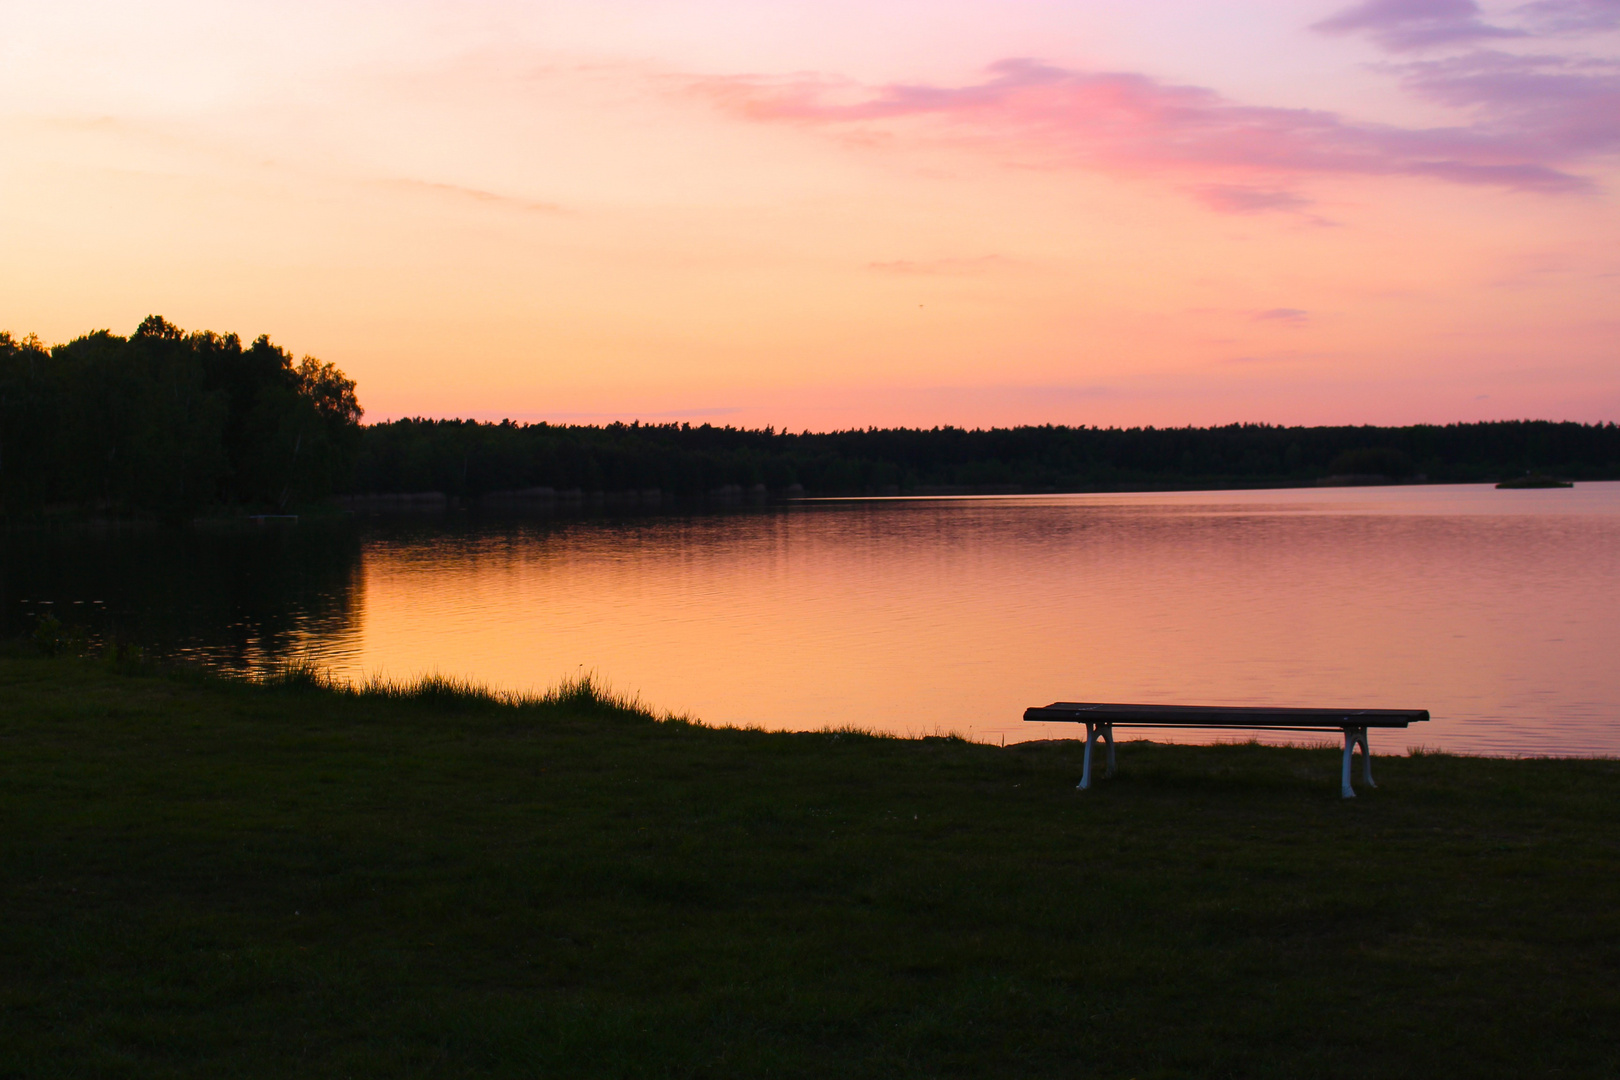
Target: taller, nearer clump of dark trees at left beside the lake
171 423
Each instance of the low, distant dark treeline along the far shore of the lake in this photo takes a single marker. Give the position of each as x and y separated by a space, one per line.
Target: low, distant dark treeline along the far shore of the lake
469 459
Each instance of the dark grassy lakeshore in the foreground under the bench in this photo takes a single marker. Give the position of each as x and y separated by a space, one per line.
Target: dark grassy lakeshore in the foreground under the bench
220 880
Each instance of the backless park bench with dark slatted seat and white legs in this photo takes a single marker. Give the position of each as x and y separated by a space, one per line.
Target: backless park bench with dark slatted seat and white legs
1101 720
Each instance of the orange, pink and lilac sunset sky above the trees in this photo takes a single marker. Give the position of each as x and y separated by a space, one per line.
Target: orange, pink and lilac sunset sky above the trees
840 215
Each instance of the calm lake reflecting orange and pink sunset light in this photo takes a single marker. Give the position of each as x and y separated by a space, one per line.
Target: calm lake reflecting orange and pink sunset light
1498 611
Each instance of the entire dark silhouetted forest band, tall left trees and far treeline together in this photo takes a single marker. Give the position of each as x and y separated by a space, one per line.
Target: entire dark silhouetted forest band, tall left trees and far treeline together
173 423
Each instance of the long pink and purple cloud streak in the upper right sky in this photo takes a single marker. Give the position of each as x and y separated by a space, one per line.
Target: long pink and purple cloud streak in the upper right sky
1235 158
